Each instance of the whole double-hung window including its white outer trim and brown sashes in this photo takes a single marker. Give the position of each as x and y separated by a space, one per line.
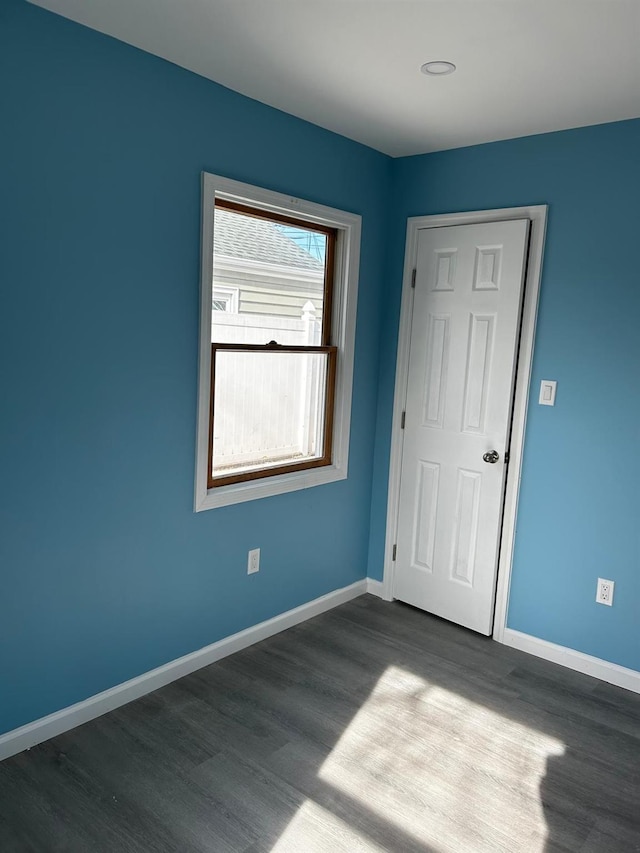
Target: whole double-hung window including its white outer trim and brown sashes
279 278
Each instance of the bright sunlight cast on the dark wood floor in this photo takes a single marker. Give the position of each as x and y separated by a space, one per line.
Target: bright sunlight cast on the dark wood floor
440 769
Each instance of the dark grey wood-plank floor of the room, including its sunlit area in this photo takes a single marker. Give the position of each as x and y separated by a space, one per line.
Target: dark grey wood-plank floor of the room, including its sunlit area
373 727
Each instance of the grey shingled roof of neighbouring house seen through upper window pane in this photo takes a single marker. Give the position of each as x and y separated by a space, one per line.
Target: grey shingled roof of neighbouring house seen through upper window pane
239 236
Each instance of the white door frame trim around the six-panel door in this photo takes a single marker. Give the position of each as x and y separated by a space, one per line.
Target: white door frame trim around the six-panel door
537 214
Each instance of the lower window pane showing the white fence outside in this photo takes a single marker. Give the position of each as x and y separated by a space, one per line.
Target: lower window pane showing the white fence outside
268 409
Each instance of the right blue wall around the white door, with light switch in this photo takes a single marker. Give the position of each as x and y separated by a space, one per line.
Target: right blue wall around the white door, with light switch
578 512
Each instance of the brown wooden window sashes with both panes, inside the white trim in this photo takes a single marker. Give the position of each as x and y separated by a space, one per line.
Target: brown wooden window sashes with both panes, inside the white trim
272 366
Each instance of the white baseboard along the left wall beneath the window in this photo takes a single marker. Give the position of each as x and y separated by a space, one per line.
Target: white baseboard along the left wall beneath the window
68 718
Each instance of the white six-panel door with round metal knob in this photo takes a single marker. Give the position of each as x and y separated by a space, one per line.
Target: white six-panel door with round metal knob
464 333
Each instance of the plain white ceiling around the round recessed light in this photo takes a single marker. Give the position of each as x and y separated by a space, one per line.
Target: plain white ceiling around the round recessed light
352 66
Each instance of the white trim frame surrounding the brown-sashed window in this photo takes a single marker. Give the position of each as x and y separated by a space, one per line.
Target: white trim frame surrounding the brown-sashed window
345 292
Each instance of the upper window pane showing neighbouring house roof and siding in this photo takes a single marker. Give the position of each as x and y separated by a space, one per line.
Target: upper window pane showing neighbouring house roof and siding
278 271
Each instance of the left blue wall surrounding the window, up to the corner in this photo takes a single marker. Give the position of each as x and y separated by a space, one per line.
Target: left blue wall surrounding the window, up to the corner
106 571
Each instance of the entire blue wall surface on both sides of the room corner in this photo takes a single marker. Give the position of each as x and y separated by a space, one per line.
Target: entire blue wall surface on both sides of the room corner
105 570
